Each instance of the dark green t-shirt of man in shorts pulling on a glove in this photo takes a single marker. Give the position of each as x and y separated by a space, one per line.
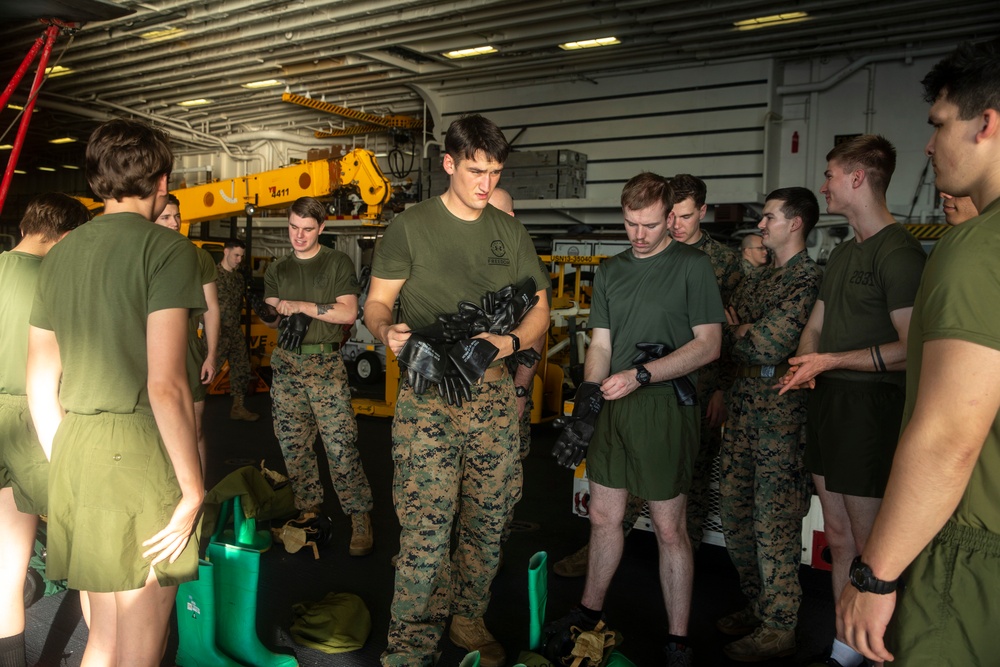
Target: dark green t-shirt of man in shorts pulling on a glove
654 299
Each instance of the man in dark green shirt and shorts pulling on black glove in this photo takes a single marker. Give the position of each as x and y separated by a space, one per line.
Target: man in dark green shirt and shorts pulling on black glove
644 440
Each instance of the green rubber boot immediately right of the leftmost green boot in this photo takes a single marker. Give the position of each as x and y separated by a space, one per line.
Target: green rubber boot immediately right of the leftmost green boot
237 571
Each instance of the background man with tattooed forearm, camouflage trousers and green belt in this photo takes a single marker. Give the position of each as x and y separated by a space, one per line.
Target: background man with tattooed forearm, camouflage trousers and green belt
315 290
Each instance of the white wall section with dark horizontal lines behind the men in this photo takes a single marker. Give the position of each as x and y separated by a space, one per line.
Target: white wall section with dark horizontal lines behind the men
707 121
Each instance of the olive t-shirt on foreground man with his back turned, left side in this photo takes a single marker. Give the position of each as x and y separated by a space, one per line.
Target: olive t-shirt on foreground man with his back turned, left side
96 289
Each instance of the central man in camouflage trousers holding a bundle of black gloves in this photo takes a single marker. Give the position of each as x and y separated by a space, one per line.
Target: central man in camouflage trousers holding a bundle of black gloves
454 463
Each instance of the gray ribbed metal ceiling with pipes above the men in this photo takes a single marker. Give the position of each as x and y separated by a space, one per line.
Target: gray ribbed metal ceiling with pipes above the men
384 57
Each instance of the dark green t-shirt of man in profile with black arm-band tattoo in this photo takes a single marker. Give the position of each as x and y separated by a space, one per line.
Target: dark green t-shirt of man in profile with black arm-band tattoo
862 284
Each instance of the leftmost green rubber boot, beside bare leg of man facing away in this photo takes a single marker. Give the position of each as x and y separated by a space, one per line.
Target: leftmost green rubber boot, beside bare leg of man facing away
196 623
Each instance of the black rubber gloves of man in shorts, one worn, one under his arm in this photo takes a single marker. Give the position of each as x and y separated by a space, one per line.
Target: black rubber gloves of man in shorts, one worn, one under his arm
578 429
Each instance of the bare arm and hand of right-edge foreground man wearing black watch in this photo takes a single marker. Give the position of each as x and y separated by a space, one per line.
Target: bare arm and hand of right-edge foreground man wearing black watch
931 468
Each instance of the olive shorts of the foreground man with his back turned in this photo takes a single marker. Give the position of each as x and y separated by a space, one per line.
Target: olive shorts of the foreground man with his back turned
111 487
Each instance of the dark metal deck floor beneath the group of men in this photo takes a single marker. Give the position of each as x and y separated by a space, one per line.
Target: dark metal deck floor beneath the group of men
55 635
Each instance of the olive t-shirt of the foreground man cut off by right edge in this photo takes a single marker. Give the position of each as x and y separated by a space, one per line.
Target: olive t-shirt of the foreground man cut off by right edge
958 299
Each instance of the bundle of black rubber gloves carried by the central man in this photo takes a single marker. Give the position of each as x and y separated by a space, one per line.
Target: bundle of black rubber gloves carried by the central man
446 354
